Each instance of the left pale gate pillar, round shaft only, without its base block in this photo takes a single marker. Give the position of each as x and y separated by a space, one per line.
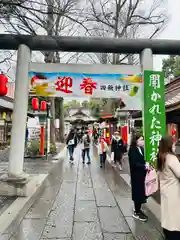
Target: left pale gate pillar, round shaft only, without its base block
16 158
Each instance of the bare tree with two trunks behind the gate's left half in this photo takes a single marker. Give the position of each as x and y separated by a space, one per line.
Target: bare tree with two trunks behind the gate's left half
50 17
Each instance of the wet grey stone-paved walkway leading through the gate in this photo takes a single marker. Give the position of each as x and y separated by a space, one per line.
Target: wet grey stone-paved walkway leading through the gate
83 203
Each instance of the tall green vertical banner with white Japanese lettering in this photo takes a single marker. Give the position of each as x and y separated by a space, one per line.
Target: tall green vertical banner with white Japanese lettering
154 113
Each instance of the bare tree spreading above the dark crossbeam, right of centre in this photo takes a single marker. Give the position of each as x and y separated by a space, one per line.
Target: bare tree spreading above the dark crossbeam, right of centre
125 19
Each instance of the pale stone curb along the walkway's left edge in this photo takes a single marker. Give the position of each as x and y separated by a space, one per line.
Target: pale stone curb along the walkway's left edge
17 210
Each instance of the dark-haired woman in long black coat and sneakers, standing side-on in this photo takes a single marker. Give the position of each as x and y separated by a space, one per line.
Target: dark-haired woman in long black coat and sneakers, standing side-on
138 173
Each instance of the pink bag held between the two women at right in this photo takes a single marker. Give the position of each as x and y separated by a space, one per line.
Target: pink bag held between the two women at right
151 182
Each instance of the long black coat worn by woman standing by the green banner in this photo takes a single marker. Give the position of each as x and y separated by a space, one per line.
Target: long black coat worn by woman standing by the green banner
138 174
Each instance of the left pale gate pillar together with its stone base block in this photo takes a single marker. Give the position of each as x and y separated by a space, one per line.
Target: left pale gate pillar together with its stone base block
16 182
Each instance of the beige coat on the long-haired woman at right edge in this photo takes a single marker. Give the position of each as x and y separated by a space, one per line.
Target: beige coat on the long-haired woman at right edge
170 194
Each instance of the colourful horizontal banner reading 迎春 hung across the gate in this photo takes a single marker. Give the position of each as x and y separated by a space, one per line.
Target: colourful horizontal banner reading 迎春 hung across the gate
128 88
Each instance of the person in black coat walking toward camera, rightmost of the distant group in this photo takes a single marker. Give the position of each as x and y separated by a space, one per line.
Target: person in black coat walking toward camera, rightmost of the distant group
117 149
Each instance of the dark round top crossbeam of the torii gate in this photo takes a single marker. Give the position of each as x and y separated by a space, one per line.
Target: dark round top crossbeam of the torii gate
88 44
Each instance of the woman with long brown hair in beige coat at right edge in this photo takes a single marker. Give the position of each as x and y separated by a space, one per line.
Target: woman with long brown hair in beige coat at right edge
169 175
